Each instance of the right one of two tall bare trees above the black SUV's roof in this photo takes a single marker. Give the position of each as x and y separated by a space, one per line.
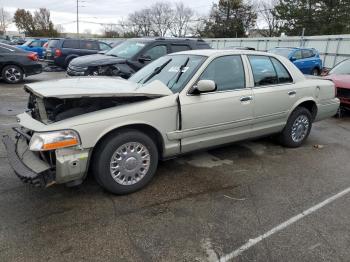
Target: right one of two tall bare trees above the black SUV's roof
182 19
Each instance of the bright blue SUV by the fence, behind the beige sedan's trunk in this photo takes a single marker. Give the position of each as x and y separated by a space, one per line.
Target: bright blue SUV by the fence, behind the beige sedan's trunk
306 59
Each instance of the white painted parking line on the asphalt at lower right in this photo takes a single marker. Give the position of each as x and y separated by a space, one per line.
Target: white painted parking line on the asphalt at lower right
253 242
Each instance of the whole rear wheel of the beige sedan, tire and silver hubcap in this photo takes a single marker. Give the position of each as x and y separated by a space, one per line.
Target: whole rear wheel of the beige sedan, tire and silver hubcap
297 129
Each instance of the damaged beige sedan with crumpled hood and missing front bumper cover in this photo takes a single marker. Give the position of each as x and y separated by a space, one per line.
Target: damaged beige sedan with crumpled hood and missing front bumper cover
119 129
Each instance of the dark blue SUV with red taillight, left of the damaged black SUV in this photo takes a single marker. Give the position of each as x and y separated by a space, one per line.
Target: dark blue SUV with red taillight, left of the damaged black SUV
61 51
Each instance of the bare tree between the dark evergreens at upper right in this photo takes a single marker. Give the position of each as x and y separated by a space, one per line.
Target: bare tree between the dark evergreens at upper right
267 14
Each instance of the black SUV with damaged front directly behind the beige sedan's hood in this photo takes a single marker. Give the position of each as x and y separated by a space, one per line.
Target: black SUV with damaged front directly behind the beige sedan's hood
130 56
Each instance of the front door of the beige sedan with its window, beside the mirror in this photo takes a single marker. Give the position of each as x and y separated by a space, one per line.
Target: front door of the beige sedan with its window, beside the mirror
218 117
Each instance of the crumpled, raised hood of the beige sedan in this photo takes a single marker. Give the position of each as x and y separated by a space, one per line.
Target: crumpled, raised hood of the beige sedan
96 87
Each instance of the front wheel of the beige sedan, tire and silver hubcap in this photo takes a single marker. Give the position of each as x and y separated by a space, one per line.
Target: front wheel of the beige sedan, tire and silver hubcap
125 162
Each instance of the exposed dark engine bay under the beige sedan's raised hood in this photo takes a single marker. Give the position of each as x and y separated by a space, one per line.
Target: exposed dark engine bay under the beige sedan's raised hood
48 110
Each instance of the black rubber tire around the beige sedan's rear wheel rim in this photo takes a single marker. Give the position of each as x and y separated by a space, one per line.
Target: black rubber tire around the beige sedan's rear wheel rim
286 136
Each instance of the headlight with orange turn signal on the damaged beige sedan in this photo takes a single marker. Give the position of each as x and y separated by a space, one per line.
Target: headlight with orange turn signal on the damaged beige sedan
53 140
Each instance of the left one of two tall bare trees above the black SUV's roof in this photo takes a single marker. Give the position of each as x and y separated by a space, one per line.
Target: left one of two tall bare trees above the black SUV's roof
162 16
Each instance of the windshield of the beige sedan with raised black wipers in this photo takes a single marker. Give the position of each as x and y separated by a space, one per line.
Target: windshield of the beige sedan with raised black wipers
170 73
